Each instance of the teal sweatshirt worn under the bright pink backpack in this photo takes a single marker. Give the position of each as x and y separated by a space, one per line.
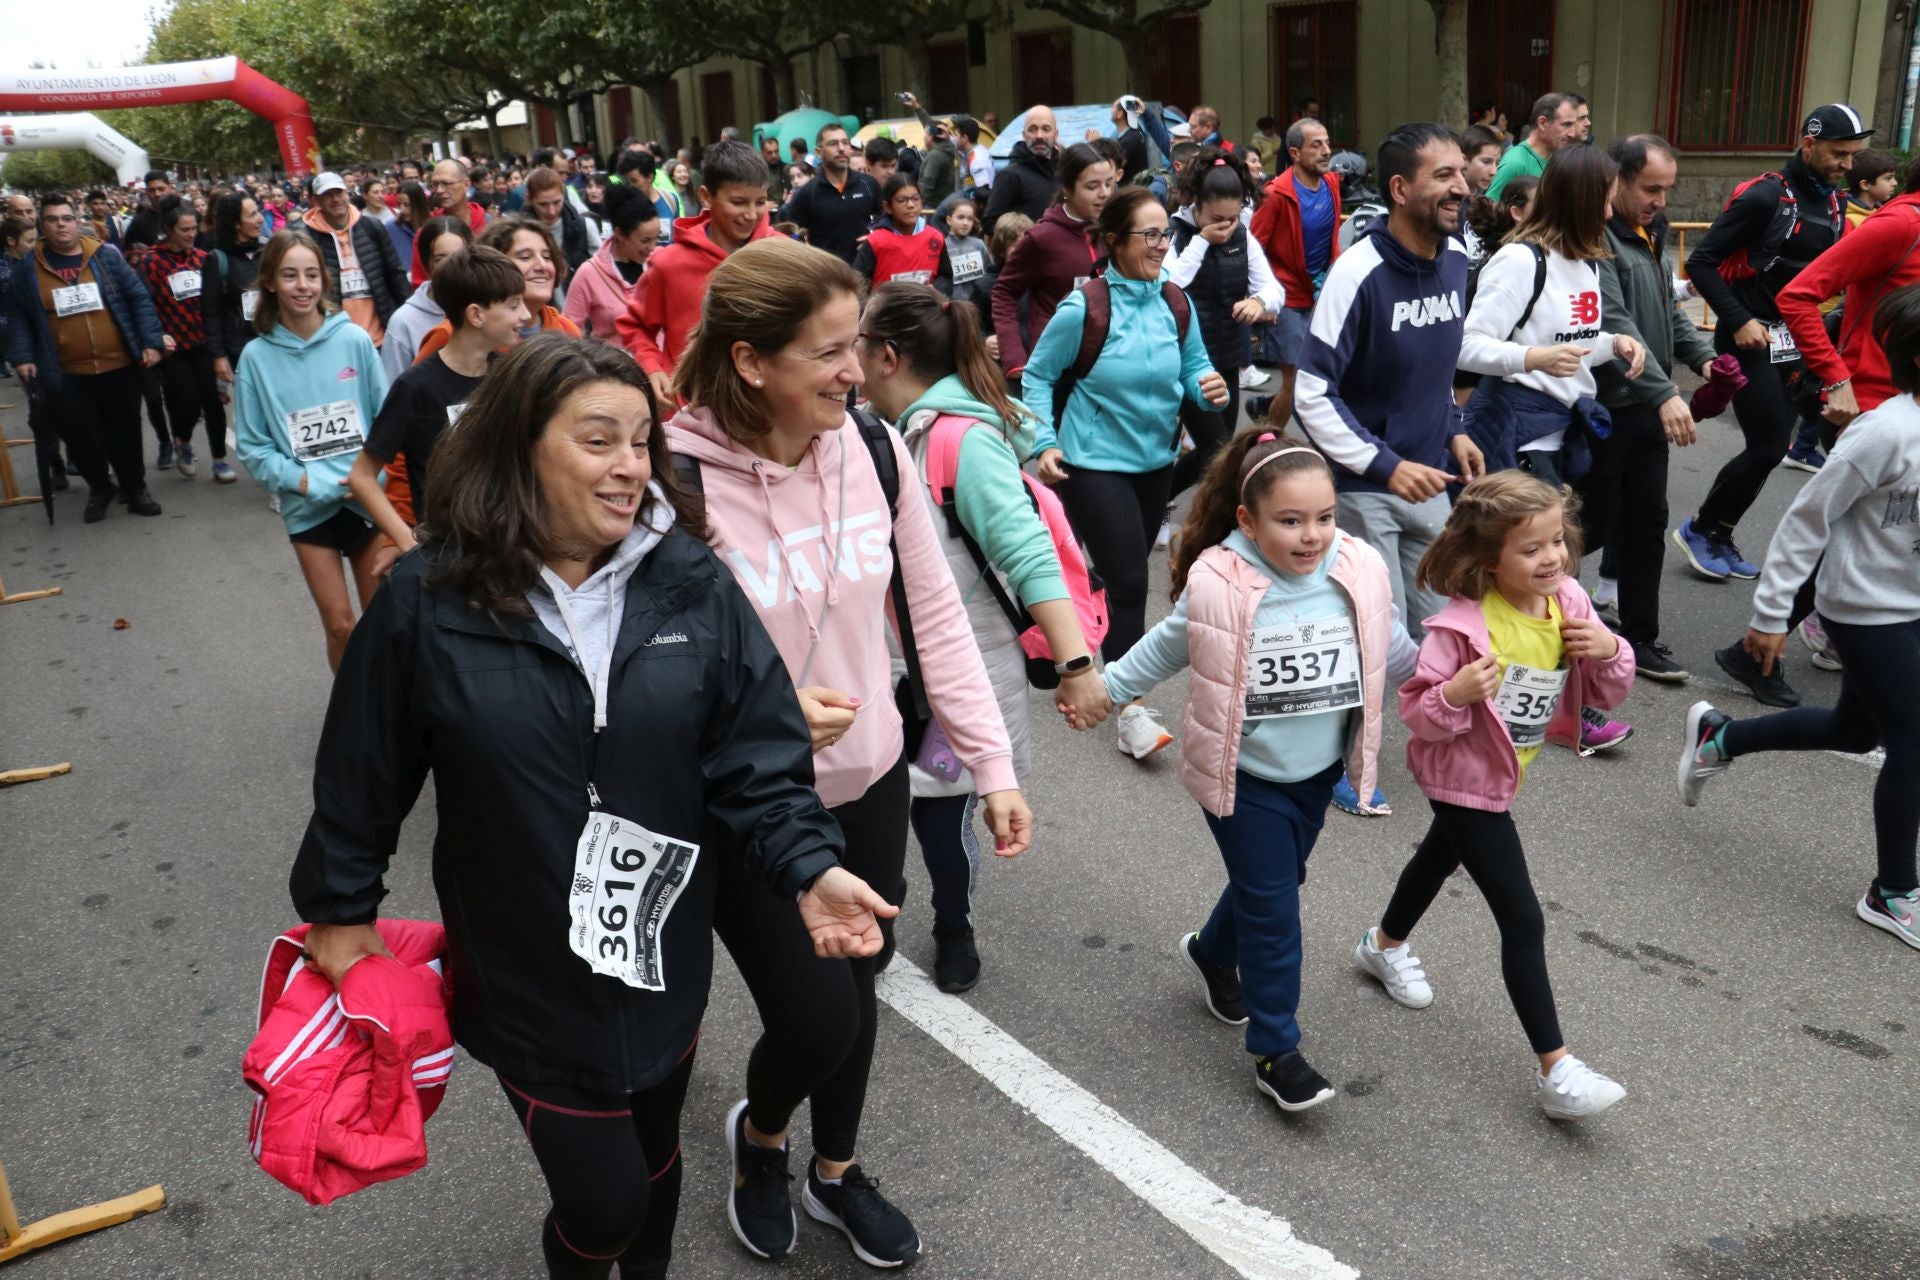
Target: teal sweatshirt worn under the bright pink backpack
992 500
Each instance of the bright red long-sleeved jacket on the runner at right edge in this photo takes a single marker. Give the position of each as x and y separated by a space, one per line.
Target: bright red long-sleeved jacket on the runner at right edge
1869 262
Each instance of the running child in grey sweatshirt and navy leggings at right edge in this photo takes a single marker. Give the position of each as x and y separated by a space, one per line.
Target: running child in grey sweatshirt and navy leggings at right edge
1863 513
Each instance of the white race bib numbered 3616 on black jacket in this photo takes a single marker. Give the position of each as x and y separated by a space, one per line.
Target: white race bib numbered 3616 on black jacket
627 882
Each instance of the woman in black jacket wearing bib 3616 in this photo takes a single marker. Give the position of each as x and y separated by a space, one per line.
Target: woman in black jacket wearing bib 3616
606 723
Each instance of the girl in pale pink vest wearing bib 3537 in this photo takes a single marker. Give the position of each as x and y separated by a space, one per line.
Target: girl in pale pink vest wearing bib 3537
1287 627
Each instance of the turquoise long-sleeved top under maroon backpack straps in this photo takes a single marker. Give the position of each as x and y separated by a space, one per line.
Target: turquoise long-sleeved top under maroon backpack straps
1124 415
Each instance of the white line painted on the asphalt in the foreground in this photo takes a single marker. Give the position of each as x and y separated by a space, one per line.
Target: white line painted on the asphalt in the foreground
1255 1243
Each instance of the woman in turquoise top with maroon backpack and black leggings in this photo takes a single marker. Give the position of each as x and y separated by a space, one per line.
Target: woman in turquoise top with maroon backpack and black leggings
1116 439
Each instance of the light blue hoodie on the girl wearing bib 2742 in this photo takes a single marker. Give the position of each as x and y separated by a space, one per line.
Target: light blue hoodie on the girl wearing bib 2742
281 377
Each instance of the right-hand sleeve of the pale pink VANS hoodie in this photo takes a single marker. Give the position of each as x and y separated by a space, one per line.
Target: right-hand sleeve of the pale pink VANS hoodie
949 657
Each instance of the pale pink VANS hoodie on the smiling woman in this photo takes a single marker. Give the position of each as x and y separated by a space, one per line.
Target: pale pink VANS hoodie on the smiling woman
828 613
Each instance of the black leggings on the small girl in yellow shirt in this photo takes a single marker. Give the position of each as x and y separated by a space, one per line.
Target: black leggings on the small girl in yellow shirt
1491 849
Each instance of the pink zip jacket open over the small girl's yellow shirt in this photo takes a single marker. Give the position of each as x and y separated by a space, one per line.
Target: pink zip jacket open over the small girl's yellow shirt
1462 755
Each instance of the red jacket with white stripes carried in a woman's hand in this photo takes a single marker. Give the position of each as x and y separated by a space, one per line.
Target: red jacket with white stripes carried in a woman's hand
347 1079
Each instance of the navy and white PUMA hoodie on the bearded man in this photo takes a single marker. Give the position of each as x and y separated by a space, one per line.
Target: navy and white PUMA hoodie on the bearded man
1376 383
